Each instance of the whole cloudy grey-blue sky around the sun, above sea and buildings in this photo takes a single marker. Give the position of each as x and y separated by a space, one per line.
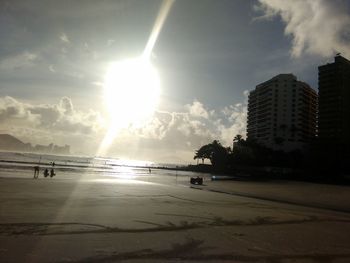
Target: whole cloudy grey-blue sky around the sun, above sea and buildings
54 57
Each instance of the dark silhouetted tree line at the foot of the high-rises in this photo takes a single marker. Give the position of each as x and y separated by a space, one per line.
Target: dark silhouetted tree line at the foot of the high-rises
318 160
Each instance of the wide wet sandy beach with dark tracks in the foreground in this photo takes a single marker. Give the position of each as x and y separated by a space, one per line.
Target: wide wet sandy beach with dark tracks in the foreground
158 217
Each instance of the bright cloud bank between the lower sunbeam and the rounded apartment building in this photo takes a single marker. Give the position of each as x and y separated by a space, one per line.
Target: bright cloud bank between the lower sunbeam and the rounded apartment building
174 136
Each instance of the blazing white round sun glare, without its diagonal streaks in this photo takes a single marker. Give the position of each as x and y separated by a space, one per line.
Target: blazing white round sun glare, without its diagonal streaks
131 92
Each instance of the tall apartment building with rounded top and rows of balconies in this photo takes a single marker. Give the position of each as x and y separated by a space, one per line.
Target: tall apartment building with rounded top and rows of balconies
282 113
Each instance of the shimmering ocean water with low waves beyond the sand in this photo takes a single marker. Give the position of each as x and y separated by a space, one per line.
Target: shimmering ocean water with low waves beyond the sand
21 165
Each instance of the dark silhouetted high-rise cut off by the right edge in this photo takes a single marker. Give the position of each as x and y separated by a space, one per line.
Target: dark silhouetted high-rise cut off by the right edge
334 102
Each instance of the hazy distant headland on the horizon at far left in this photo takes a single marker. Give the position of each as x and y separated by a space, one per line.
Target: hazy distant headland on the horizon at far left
11 143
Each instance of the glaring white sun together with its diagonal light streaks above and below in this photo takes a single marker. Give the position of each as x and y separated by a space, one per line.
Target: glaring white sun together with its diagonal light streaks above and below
132 86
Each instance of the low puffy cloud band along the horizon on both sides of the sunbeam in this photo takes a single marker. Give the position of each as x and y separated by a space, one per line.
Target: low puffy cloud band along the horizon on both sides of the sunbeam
168 134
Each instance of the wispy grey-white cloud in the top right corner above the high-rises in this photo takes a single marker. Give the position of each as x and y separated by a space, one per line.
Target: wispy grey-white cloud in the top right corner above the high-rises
317 27
